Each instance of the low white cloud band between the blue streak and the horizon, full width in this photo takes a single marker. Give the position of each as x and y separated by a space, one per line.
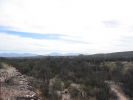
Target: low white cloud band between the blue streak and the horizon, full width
11 43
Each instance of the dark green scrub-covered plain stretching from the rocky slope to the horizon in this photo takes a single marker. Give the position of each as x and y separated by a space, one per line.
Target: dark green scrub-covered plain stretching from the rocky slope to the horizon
77 77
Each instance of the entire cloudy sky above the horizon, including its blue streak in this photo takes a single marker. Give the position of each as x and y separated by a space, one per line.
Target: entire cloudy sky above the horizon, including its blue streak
66 26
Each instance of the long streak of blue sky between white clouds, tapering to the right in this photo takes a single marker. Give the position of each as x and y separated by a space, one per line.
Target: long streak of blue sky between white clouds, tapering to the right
49 36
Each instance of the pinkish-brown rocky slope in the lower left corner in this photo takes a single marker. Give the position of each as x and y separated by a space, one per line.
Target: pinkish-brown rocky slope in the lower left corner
14 85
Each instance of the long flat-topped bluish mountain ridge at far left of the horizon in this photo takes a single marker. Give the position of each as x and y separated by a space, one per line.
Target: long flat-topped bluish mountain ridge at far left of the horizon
17 55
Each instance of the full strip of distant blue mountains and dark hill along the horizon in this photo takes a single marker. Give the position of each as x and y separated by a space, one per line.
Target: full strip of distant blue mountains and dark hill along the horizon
107 55
